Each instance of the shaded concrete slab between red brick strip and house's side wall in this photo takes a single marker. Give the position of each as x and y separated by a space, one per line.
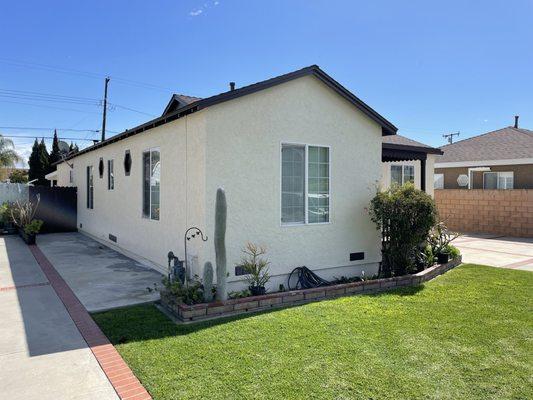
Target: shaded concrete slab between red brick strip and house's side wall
100 277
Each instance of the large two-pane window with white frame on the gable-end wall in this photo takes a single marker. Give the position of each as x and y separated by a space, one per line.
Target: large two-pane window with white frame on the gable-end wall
305 184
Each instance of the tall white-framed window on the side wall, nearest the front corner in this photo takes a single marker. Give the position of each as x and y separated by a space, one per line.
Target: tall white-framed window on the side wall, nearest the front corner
151 183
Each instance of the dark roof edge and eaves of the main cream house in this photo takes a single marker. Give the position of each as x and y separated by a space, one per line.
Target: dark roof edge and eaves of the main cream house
386 127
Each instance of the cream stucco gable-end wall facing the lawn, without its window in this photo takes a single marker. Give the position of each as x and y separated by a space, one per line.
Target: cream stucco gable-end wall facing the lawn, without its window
243 157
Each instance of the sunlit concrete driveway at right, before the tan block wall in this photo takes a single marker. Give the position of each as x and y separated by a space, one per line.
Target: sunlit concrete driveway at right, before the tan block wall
497 251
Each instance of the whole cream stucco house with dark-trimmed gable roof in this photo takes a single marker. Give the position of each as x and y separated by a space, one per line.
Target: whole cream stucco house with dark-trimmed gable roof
299 157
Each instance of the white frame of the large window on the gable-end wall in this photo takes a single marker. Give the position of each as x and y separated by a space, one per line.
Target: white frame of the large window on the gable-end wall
306 195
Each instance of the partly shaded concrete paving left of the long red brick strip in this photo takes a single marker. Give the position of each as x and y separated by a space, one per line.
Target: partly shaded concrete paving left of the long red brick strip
42 353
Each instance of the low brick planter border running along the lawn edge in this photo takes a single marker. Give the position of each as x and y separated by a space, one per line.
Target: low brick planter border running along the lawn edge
190 313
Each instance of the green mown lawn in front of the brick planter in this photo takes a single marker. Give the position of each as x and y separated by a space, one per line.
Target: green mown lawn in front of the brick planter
465 335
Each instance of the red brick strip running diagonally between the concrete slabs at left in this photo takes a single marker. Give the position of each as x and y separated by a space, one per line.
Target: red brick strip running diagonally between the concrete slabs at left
117 371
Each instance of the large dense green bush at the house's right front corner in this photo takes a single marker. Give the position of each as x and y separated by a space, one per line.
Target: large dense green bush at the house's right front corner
405 216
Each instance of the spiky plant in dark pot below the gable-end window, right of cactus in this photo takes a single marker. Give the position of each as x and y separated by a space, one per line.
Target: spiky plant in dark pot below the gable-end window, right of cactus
256 268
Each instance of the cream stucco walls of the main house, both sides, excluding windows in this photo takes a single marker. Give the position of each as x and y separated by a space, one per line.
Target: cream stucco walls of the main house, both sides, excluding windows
236 145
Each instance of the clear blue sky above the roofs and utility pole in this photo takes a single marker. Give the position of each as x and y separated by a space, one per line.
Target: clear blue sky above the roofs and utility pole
429 67
